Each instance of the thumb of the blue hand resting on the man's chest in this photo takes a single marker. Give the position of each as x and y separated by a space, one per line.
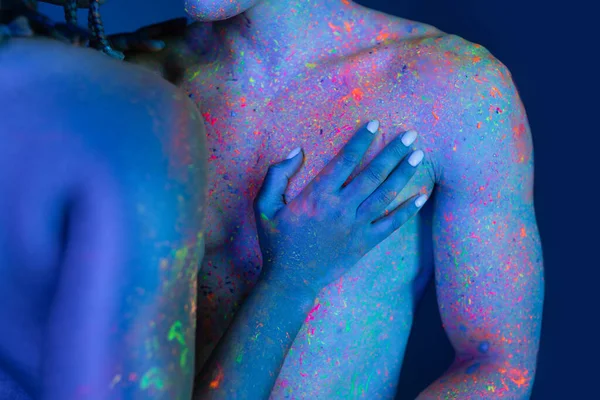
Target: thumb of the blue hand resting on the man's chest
270 196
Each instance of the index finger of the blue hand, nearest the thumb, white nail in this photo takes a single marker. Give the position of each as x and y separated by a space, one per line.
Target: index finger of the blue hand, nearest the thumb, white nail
337 171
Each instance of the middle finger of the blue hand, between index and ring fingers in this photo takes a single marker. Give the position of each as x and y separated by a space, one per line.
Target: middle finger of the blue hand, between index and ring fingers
380 167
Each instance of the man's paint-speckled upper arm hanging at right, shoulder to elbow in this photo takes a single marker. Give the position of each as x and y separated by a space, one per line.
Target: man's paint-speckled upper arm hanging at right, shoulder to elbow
487 248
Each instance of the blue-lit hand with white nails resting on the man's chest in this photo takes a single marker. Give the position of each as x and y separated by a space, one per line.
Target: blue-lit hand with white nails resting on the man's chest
313 240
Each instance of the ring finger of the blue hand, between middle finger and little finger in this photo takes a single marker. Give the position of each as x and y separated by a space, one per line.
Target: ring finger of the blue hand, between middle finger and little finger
374 206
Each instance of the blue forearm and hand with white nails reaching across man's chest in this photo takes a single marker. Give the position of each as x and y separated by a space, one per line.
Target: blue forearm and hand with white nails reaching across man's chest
306 245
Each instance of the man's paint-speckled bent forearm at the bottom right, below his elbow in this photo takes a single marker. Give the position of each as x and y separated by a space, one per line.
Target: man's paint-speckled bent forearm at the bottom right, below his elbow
481 379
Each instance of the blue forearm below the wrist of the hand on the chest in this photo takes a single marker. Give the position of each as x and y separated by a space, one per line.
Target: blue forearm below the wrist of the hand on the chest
248 358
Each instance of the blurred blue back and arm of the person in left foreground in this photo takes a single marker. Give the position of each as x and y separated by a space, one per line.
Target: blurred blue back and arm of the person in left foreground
101 179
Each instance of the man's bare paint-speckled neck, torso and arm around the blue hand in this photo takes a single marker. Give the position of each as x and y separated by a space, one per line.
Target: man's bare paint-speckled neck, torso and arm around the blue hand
329 65
